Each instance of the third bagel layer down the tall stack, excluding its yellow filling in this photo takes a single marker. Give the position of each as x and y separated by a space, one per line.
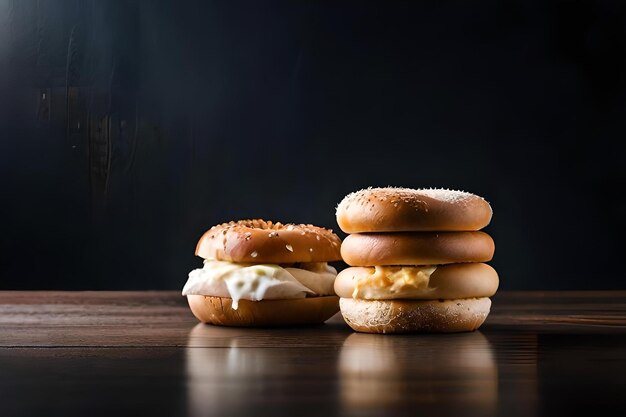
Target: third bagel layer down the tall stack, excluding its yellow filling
472 280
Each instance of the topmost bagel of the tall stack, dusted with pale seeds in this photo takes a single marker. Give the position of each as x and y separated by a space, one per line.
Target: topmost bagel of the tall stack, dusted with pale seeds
393 209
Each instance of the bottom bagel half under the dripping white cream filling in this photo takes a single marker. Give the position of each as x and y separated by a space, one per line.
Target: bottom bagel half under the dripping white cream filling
219 311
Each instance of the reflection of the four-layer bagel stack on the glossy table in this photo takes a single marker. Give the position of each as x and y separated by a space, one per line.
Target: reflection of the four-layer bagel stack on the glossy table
447 372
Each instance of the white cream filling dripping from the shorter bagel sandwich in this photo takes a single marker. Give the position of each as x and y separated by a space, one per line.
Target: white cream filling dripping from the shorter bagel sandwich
260 281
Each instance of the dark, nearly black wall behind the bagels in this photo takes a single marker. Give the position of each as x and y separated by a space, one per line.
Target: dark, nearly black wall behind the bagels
130 127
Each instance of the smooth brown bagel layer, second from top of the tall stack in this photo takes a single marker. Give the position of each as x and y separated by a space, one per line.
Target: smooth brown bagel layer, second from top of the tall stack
417 248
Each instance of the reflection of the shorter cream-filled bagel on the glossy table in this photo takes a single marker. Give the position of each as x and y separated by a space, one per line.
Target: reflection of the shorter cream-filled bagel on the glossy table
243 371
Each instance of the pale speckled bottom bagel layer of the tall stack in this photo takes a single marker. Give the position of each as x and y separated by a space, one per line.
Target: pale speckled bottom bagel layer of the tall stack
412 316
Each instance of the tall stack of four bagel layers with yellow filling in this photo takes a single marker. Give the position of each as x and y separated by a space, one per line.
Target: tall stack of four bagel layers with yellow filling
416 260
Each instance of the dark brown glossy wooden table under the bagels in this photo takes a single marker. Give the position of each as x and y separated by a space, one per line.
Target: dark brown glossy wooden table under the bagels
143 353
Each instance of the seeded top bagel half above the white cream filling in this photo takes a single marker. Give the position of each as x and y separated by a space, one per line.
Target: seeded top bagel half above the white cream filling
260 241
